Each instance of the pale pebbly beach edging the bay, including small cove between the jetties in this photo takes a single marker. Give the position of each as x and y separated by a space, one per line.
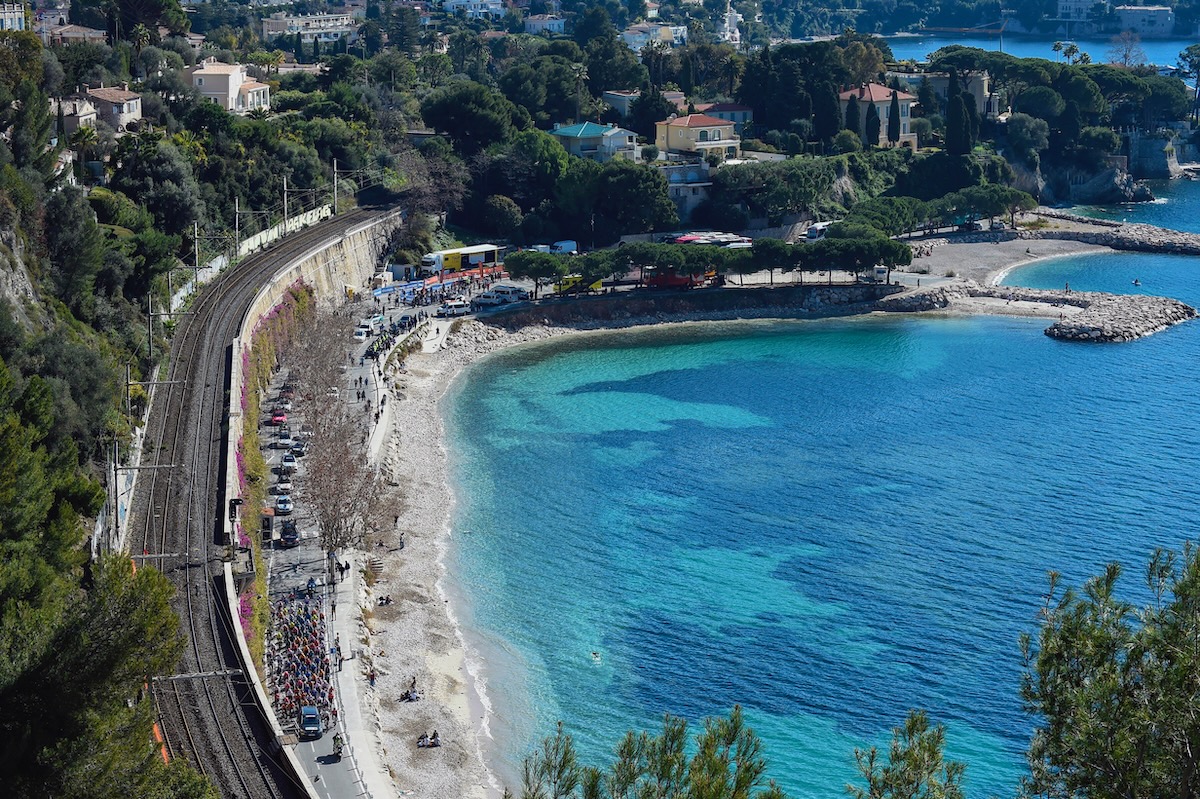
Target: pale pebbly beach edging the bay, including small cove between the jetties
418 636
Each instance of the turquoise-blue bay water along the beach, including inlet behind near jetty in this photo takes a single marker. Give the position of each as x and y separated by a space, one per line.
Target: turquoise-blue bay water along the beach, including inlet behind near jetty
829 522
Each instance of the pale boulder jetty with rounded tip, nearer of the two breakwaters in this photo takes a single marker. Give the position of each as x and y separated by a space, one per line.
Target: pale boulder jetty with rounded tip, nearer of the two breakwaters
1105 317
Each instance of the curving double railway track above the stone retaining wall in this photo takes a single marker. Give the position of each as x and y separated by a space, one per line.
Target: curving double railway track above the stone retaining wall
207 711
